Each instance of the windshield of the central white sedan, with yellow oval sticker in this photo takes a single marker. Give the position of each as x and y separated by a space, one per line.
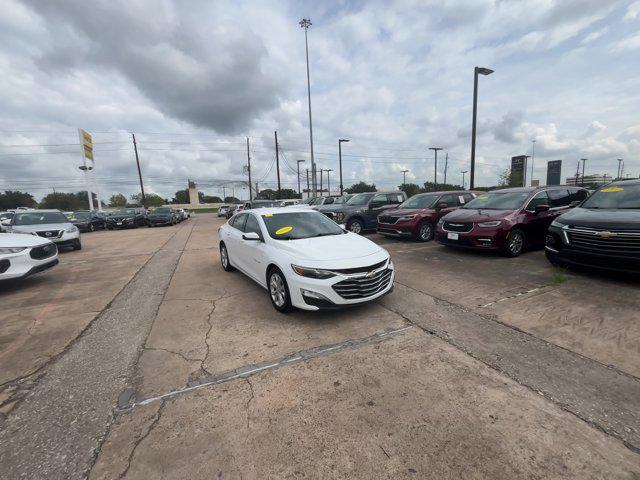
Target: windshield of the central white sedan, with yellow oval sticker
298 225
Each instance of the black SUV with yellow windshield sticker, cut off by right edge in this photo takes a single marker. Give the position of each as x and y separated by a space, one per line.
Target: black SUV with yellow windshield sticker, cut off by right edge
602 232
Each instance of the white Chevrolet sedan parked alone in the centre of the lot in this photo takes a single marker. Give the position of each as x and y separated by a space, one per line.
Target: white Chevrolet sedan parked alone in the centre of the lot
305 259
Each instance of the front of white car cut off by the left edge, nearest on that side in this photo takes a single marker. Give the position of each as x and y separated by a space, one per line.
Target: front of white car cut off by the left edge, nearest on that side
23 255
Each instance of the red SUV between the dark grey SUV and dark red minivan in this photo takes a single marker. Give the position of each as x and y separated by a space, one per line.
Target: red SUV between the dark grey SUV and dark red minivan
417 217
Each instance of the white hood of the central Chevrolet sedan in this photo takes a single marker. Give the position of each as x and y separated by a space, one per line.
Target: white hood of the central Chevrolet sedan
348 250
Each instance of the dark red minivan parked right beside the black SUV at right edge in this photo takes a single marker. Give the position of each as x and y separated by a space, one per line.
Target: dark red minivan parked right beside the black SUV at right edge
507 220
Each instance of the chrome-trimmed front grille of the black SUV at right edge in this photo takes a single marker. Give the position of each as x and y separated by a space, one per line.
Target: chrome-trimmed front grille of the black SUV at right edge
605 241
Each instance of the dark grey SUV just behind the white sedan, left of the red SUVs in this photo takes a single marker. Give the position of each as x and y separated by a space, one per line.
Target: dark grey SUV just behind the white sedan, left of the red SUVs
361 211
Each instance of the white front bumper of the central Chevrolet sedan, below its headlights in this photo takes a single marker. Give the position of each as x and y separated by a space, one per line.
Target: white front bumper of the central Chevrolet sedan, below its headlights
331 299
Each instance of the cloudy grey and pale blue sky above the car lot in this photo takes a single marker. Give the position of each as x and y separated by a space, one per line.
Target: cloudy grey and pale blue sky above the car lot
193 79
